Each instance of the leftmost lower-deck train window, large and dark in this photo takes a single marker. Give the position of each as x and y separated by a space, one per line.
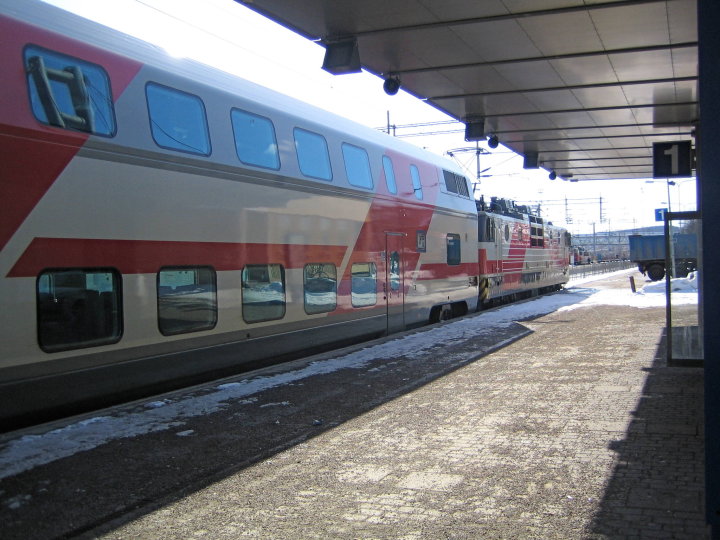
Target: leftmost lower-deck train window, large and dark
78 308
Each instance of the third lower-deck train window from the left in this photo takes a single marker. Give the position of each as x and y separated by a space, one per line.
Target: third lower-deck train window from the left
263 292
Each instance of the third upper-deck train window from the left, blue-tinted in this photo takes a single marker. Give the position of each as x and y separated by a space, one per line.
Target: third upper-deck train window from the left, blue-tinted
255 140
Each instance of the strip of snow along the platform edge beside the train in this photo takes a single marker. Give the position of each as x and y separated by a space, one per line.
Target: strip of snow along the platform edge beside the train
28 451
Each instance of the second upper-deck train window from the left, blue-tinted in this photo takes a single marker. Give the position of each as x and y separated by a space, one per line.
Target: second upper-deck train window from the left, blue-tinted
177 120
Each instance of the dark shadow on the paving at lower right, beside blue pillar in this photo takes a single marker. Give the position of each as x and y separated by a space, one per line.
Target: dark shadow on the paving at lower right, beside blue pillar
657 485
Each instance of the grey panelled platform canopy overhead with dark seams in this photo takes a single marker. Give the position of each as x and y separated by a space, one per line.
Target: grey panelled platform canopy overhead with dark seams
580 87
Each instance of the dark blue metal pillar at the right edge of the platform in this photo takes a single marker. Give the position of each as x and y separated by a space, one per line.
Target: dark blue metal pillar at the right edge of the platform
708 168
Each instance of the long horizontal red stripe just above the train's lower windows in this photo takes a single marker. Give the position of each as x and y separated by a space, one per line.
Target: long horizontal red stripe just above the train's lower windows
148 256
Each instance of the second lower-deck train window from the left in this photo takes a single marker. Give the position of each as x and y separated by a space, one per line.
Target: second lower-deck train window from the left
187 300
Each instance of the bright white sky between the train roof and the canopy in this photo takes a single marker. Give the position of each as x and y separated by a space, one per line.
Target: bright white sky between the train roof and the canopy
226 35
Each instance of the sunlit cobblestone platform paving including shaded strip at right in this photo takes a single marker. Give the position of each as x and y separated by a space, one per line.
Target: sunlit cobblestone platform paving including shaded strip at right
575 431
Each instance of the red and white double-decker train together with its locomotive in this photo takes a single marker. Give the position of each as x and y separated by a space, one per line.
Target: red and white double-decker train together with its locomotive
164 222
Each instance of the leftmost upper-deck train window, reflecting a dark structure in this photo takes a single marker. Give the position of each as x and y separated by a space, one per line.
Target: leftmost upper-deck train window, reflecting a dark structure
69 93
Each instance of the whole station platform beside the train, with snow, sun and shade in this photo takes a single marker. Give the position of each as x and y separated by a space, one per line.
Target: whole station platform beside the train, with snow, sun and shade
553 418
